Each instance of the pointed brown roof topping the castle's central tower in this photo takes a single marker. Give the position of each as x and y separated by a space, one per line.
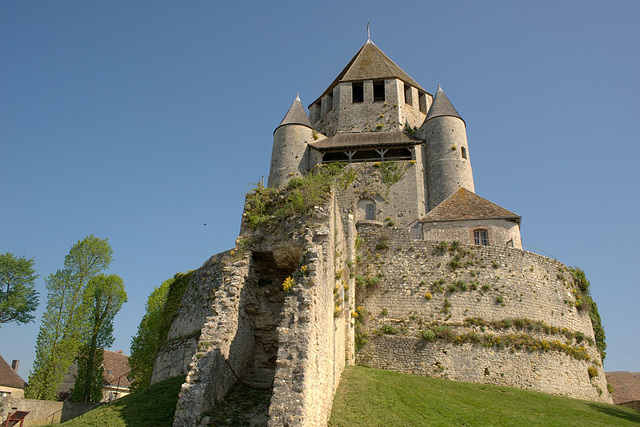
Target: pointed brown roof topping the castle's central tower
370 63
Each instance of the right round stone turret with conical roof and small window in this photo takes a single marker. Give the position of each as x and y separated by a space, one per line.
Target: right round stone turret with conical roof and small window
448 165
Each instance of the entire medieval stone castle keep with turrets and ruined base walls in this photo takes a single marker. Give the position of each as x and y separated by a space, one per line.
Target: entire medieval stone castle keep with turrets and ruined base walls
397 264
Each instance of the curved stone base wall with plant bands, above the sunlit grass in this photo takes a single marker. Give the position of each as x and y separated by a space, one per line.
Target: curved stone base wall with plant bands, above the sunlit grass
419 296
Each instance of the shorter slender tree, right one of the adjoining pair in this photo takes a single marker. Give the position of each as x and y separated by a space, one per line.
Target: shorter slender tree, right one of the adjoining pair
104 296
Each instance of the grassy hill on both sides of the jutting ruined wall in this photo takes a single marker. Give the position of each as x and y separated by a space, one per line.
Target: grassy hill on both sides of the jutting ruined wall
369 397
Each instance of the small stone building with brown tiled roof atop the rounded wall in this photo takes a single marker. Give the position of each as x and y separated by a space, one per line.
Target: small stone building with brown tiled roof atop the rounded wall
468 218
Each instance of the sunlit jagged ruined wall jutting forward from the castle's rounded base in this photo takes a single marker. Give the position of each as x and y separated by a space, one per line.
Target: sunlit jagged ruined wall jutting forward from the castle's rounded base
314 334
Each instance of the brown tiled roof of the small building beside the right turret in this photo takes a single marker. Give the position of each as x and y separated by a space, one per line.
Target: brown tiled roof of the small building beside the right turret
465 205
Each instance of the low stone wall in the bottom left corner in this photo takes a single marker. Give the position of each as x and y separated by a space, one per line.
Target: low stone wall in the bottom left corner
43 412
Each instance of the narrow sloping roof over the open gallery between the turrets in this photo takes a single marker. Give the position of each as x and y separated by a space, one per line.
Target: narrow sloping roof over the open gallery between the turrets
364 139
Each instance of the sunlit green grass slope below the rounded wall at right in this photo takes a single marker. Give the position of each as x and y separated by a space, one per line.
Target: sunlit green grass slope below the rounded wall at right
369 397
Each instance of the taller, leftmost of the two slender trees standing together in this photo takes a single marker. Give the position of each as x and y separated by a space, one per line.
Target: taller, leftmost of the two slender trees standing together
64 323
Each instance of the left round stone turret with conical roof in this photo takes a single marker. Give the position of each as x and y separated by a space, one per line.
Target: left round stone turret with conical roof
289 156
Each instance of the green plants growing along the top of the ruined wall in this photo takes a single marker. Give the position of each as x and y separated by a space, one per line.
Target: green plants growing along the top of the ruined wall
267 204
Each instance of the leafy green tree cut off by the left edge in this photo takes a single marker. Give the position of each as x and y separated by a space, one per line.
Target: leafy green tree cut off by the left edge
18 297
